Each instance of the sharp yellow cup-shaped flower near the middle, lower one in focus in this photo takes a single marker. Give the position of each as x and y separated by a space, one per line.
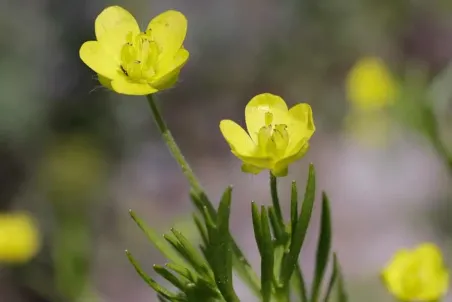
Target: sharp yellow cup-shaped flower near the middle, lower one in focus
276 135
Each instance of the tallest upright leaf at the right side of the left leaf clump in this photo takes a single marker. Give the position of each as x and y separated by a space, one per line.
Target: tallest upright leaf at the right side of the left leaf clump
220 249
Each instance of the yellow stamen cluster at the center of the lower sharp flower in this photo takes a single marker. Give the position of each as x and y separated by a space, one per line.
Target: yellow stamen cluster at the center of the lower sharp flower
273 139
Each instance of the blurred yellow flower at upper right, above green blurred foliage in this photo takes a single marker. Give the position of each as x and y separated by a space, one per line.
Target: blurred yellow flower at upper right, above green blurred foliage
370 84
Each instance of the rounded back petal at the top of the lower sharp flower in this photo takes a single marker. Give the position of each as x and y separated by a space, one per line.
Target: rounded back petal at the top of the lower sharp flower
256 109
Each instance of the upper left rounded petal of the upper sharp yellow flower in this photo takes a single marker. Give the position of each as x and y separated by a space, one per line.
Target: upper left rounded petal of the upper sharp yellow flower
112 27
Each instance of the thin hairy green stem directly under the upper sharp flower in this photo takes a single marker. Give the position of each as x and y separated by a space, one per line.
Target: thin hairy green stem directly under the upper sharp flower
172 146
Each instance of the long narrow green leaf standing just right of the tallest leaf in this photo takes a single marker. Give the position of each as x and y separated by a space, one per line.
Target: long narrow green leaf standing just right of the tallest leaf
323 249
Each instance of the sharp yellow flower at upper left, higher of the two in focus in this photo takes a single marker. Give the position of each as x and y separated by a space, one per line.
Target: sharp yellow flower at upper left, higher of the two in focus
133 62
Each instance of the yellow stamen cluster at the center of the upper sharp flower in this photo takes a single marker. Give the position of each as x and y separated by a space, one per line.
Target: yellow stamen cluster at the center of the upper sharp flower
139 57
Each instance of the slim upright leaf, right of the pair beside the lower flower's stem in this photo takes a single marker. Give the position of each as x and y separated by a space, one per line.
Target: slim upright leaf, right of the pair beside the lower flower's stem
267 257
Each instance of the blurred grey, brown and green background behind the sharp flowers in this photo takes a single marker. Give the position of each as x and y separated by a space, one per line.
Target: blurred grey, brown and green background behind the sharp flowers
76 157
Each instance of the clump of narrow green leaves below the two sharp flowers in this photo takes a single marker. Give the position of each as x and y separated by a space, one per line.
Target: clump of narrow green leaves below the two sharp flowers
205 274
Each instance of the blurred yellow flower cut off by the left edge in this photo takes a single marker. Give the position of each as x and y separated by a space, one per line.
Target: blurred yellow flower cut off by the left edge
19 238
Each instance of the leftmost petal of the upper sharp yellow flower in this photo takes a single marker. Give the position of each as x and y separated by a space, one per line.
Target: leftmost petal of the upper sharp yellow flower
94 55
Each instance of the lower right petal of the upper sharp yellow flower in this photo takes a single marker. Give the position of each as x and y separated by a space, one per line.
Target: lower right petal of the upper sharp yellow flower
168 70
